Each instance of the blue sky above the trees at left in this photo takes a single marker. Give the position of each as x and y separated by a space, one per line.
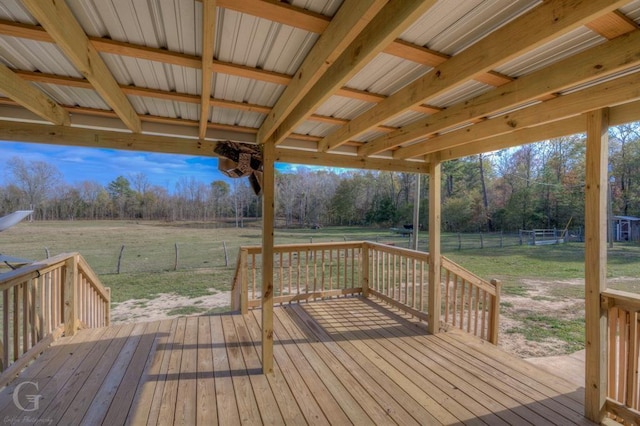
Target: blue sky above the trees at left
78 164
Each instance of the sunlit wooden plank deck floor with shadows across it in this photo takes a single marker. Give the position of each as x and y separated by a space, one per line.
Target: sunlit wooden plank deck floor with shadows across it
340 361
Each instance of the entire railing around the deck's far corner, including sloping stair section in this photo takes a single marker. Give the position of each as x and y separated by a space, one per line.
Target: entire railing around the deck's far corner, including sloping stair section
395 275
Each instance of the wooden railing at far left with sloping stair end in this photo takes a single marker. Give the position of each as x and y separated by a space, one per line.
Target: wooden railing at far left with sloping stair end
43 300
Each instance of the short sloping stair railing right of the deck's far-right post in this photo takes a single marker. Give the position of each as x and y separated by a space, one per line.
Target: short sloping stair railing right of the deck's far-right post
469 302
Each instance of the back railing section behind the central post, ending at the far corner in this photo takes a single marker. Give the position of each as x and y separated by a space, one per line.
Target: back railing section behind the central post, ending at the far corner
301 272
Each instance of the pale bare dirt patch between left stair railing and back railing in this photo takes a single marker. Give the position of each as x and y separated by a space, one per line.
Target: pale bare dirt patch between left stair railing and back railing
168 305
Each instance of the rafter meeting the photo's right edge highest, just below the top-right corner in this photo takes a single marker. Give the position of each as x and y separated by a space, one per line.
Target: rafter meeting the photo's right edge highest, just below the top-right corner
606 59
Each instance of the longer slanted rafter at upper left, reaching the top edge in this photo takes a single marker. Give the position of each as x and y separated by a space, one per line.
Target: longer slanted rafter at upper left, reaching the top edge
61 25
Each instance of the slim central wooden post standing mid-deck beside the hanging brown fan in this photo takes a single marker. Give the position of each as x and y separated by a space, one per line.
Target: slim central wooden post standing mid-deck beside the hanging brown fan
268 203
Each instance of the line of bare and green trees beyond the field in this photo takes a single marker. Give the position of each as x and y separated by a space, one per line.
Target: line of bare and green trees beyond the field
534 186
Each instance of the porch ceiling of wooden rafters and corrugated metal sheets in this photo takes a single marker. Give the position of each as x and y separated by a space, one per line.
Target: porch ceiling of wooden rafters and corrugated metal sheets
359 83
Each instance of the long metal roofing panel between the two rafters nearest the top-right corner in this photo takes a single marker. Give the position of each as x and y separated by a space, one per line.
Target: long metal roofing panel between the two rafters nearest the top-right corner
569 44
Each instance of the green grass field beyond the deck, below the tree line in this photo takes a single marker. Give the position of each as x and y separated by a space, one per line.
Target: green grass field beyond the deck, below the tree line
149 256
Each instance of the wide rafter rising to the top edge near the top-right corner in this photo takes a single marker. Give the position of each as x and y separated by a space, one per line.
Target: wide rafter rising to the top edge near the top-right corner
533 29
